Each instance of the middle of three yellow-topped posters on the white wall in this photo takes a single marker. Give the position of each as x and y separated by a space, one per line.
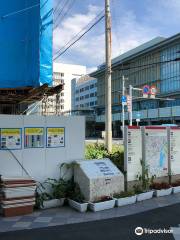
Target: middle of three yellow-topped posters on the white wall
33 137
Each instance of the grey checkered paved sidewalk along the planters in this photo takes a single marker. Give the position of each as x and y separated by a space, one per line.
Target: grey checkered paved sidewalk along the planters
66 215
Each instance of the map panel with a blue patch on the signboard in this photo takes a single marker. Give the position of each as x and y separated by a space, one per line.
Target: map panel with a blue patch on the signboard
156 150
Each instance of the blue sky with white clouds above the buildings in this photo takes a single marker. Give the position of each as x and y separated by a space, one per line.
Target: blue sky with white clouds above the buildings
133 22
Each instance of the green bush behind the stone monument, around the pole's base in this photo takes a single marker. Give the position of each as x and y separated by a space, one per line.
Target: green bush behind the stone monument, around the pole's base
97 151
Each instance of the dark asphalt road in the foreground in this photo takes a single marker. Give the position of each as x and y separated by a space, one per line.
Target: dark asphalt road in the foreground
112 229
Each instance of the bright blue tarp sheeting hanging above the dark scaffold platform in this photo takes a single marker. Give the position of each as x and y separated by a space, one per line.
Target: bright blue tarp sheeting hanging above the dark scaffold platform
26 43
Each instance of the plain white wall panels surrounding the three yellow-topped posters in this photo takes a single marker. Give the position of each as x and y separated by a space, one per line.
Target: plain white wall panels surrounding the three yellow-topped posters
43 162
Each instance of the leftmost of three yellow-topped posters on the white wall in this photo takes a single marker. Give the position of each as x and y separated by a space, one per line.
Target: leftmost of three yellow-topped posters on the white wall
11 138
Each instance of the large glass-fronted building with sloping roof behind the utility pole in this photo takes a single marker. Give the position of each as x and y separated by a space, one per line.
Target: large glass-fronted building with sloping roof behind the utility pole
155 63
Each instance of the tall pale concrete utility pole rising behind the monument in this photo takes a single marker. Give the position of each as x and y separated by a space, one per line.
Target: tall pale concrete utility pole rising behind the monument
108 111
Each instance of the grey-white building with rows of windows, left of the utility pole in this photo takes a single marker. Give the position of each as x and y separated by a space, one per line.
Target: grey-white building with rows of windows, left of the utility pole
84 93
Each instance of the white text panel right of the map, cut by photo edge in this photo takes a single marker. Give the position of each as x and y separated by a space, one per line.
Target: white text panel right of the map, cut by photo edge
175 150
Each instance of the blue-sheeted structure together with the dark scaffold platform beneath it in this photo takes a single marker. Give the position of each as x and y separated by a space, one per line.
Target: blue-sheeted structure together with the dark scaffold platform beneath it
27 78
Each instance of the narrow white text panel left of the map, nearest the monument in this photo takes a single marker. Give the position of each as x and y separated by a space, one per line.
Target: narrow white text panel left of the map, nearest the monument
133 152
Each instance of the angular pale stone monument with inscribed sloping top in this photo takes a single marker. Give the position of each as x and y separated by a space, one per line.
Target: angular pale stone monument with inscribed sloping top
98 178
